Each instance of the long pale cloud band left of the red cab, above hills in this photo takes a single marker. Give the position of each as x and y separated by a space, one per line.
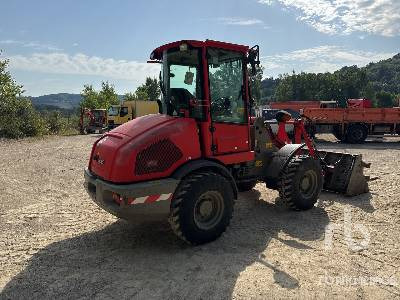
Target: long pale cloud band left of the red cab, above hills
81 64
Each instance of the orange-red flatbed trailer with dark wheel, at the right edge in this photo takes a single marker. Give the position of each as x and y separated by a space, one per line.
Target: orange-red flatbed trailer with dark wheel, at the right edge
353 125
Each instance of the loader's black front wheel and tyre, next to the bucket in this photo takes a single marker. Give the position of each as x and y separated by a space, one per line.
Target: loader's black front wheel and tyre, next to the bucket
301 182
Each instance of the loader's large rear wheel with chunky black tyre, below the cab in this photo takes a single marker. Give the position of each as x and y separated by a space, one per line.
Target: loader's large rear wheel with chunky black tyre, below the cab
202 207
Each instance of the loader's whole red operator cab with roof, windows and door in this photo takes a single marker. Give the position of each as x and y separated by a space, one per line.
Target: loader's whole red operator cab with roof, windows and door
207 81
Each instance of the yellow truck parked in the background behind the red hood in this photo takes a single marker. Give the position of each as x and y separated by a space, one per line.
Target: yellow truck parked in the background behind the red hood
129 110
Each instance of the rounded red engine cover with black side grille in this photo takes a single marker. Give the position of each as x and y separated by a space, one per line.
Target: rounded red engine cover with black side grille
149 147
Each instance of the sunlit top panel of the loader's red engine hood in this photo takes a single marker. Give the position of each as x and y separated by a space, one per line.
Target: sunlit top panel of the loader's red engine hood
142 124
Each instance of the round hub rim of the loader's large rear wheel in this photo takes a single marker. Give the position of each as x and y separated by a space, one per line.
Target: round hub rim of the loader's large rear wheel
208 210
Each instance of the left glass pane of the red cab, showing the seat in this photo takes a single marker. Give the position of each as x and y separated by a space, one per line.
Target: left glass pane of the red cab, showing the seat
181 79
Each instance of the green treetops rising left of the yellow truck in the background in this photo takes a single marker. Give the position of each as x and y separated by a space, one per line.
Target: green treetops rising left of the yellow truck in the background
99 99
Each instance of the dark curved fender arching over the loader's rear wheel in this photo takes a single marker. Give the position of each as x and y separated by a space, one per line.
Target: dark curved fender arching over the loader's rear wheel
203 164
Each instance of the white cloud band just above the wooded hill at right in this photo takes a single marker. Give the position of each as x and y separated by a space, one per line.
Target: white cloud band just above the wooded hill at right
318 60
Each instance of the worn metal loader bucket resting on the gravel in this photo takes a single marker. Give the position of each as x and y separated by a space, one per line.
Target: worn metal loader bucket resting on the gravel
344 173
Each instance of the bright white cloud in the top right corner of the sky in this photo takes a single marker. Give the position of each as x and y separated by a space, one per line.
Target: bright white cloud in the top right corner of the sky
381 17
